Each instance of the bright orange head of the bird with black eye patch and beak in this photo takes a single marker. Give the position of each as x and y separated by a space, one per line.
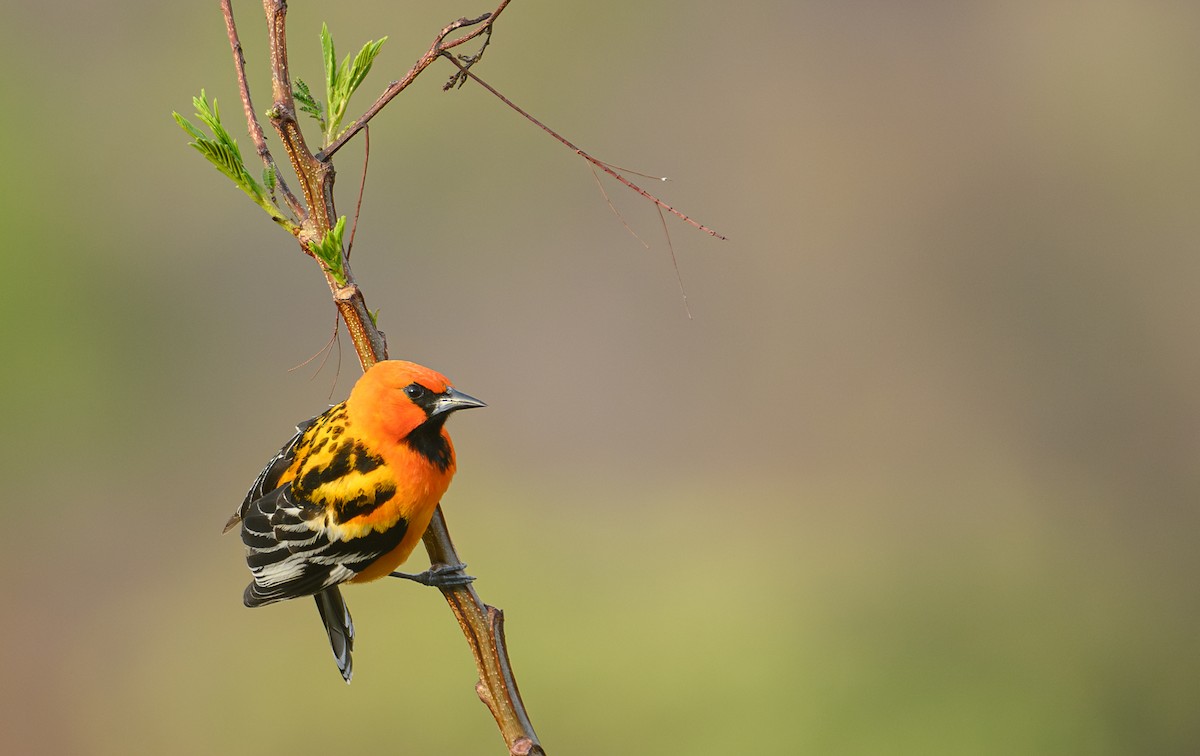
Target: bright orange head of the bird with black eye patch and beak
398 398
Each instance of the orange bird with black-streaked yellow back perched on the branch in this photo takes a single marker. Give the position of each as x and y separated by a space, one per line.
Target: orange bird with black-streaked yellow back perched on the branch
349 499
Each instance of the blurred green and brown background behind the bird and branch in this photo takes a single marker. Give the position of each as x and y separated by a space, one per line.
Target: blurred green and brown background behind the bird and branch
921 476
